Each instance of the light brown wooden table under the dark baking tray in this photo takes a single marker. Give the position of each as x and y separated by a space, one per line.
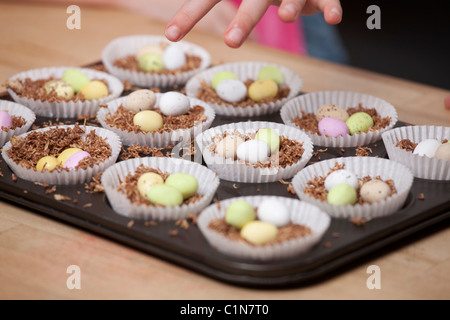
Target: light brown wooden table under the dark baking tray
35 251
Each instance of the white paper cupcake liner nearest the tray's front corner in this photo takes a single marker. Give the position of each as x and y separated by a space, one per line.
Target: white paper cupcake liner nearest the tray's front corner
302 213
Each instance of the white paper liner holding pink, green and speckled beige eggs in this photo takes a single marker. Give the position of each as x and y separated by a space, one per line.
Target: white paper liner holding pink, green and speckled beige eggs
311 102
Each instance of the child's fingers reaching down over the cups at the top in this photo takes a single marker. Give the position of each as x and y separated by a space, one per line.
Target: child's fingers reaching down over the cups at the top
248 15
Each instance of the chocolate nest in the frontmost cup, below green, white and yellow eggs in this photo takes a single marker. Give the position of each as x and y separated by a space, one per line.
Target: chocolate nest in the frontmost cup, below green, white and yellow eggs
285 233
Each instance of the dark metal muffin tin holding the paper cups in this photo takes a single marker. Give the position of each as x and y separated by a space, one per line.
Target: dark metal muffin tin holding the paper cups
344 244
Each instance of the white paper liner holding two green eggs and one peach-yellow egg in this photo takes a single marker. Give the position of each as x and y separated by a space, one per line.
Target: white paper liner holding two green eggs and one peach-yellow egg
207 180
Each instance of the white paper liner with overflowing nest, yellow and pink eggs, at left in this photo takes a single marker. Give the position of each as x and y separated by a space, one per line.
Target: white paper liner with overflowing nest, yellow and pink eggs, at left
67 177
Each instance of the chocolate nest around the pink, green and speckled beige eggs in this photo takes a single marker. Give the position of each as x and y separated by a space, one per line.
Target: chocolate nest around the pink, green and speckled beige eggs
309 123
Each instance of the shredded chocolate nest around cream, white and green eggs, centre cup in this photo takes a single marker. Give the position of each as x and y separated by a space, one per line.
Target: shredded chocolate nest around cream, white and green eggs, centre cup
291 151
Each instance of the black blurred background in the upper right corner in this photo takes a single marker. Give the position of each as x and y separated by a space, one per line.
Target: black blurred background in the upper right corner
413 42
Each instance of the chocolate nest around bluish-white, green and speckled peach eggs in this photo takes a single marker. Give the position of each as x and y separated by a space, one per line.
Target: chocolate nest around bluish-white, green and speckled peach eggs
316 187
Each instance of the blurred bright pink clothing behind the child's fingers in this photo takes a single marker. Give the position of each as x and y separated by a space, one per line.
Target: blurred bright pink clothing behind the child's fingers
273 32
